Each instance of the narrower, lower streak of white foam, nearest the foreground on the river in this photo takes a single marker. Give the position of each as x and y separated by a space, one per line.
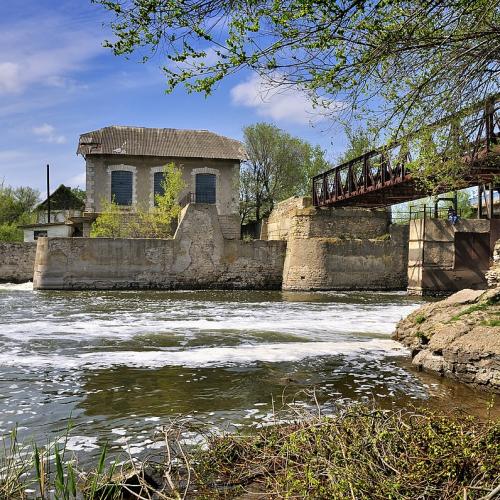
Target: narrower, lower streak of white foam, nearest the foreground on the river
208 356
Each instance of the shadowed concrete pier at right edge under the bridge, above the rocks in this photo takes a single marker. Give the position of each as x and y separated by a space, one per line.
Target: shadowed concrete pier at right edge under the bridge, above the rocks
445 258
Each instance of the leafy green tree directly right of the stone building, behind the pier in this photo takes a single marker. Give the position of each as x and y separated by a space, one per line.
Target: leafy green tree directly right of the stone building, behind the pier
278 166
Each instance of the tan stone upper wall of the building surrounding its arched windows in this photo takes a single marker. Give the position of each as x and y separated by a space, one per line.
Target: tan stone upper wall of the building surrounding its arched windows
99 179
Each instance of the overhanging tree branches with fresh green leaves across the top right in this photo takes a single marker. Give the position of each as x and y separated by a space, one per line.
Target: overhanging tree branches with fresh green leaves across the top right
407 62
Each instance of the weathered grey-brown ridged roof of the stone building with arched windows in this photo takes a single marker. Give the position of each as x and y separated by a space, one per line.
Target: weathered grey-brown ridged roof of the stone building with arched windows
169 142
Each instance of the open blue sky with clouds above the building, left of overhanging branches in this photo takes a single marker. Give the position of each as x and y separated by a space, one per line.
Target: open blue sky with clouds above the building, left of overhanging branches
57 82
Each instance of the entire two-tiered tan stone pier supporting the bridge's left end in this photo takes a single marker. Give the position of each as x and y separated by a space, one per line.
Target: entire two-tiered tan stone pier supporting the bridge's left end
339 249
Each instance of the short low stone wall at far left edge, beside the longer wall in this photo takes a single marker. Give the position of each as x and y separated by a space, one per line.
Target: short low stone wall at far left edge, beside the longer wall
16 262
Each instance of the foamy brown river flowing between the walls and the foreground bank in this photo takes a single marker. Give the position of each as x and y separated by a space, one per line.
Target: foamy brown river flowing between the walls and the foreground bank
118 364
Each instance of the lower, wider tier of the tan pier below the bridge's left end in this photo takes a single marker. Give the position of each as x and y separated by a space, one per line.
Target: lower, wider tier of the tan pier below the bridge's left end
348 264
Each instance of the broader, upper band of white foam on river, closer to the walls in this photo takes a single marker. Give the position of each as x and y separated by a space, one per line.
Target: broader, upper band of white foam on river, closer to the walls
182 321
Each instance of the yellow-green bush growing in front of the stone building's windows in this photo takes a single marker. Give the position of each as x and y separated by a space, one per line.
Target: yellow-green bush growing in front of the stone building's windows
115 222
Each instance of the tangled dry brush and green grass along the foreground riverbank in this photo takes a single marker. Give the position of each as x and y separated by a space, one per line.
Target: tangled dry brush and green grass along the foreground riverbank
359 453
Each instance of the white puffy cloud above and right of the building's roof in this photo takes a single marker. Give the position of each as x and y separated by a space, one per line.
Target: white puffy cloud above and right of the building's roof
288 104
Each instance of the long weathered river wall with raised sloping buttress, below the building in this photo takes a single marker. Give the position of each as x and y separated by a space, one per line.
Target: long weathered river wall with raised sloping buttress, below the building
198 257
